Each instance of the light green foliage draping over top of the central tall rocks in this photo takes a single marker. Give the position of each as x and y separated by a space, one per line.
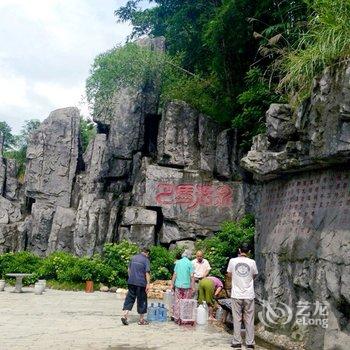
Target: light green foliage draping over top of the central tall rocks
134 66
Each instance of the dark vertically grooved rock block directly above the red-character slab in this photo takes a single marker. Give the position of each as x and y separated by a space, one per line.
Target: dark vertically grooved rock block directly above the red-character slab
189 139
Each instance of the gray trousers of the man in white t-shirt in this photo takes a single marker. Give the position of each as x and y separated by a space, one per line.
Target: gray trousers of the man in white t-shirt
243 309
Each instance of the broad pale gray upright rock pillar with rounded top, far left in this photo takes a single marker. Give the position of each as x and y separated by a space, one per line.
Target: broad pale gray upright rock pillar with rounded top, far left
53 157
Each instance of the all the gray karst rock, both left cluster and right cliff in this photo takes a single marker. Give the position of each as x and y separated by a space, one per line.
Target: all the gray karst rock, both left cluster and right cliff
167 176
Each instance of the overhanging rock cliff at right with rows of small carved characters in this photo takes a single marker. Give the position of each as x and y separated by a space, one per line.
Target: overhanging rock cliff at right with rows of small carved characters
302 211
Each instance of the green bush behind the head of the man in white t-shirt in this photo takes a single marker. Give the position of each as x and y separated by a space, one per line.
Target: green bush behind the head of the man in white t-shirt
225 244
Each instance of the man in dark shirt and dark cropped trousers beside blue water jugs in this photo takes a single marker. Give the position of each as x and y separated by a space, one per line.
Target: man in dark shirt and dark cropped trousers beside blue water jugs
138 286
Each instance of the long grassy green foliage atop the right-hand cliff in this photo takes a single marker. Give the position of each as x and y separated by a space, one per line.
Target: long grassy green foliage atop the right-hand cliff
326 42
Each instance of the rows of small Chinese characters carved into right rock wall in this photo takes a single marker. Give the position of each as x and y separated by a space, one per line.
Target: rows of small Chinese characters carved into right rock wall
305 203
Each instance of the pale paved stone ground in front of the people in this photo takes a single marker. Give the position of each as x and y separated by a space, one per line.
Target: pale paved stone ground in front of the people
77 320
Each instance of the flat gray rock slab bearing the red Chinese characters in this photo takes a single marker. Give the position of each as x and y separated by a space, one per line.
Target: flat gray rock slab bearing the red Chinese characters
190 198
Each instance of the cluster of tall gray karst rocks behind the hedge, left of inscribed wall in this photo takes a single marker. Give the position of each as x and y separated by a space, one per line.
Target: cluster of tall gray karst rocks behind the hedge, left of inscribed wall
149 176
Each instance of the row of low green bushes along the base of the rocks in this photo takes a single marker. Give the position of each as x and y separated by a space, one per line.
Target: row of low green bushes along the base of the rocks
65 270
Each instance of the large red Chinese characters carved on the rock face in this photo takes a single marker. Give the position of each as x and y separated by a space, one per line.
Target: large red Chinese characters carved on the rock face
192 196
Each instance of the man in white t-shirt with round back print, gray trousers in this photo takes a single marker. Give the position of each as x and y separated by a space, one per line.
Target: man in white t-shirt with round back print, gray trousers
242 270
